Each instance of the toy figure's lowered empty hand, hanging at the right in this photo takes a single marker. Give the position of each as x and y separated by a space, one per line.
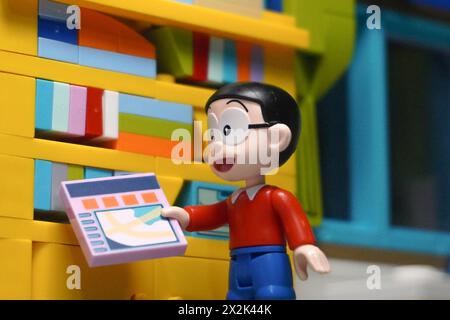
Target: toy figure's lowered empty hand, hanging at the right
310 255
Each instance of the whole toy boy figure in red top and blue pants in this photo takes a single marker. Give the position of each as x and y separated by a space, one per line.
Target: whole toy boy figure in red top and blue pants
261 217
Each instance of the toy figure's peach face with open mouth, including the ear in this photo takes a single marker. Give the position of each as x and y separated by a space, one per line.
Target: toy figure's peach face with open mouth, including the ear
242 144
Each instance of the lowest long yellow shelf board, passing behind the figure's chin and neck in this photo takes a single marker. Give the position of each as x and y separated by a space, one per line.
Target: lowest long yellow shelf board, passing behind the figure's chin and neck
114 160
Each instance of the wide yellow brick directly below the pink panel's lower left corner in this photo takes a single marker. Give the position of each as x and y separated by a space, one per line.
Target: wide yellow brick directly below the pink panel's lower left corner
60 272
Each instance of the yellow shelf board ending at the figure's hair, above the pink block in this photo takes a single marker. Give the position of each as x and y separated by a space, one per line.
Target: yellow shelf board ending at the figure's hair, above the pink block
32 66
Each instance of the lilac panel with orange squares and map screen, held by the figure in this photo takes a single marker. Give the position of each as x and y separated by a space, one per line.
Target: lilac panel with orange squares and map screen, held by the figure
123 233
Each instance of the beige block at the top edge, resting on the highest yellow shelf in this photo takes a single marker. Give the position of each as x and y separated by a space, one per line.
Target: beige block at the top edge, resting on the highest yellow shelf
251 8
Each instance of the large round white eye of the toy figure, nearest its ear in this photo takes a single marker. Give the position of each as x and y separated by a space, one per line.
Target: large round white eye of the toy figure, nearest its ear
233 125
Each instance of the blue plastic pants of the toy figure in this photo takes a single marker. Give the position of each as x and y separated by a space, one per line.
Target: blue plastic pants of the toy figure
260 273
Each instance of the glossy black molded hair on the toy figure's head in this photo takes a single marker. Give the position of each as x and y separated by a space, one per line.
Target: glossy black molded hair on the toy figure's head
276 105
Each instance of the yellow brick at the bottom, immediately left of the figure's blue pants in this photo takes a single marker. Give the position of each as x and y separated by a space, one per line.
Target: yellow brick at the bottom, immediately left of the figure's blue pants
191 278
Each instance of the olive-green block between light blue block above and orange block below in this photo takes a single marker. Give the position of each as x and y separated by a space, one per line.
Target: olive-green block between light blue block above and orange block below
150 126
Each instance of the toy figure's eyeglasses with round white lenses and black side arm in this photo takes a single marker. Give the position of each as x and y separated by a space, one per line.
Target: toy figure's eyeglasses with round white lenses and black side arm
233 127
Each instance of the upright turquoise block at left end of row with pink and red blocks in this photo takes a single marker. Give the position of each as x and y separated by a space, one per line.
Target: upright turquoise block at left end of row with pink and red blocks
44 104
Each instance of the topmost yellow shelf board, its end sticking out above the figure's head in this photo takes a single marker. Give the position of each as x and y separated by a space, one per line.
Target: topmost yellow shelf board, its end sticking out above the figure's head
197 18
